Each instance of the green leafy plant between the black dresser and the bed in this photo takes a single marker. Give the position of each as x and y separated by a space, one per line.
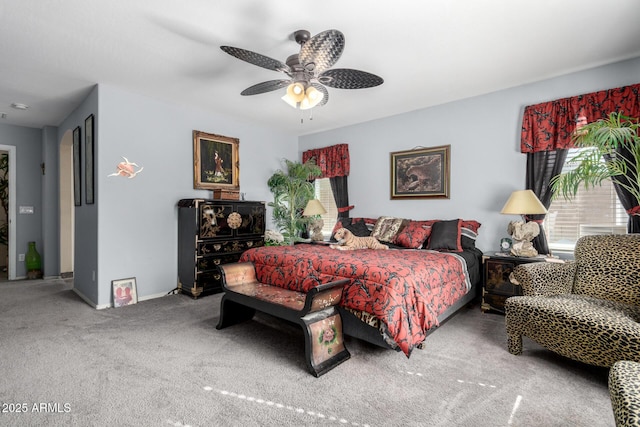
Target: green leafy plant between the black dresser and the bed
291 191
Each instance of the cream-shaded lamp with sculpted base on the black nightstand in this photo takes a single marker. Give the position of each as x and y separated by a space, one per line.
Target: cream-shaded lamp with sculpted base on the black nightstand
523 202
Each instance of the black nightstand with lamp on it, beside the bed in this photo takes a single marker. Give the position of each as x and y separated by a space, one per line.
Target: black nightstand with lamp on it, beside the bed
496 286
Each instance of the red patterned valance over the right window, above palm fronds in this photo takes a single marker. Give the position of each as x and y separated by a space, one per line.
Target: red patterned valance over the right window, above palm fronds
549 125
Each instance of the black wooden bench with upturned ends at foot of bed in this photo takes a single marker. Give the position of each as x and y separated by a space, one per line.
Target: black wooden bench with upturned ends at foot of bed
315 311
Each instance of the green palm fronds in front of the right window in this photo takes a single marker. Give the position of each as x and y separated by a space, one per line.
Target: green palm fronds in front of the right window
614 139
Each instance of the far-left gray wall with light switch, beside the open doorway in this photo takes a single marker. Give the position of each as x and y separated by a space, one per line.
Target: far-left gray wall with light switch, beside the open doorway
29 156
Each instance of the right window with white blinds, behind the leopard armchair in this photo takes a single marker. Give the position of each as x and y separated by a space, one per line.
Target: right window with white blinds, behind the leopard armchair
593 211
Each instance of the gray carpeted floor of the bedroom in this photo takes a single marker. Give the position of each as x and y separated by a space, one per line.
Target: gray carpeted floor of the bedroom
162 362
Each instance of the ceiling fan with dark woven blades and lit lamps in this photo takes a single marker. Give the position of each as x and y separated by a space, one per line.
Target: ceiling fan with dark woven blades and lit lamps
308 71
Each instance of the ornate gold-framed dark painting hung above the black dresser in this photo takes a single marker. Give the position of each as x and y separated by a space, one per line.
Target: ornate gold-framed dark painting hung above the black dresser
215 161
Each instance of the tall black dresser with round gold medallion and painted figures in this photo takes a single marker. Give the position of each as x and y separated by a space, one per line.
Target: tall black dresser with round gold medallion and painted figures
211 233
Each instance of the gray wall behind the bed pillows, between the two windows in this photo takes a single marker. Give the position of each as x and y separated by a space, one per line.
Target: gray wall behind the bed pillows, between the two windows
484 134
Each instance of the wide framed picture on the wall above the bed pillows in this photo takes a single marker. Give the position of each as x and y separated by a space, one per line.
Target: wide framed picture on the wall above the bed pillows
421 173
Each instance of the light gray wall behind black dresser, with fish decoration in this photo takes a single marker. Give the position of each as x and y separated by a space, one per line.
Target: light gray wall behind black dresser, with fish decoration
137 218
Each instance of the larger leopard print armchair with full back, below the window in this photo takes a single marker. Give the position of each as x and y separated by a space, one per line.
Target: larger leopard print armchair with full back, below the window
587 309
